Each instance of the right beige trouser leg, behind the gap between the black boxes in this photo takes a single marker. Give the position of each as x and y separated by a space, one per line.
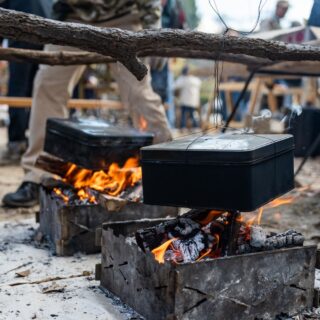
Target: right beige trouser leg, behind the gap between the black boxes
142 102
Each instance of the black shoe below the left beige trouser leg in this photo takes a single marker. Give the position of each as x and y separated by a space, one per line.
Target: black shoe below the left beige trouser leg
26 196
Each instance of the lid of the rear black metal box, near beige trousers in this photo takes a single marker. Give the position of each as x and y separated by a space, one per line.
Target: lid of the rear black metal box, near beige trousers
97 132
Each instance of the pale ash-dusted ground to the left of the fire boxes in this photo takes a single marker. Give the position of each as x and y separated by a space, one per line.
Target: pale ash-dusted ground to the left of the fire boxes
75 297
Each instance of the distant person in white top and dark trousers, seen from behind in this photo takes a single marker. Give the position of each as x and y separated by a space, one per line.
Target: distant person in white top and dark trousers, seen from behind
189 96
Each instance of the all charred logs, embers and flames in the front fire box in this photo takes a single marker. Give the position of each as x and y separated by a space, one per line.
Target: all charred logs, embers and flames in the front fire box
203 237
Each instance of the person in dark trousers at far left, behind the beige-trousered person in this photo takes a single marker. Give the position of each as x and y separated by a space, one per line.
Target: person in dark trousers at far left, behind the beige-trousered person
20 84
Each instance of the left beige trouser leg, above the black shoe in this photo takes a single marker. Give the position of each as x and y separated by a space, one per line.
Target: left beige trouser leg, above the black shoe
53 86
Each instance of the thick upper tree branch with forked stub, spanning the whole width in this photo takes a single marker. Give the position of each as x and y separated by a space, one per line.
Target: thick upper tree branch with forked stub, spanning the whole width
125 46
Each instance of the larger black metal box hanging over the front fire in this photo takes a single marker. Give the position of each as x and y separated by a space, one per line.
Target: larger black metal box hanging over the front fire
224 172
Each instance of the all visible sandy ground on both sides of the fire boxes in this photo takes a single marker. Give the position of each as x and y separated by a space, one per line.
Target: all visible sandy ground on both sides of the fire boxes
77 295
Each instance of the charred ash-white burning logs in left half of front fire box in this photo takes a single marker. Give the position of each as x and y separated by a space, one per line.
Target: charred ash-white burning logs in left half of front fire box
184 239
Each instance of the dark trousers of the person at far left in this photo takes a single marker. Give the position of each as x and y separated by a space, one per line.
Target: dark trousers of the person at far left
21 77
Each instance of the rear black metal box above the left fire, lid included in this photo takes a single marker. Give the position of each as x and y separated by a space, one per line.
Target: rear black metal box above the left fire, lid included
93 144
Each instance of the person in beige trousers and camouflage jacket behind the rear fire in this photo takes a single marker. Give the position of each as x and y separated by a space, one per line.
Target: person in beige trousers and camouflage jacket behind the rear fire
54 84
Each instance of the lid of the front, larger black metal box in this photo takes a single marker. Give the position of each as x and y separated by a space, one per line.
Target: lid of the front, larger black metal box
219 148
